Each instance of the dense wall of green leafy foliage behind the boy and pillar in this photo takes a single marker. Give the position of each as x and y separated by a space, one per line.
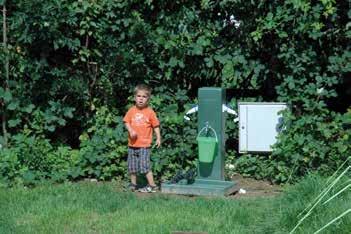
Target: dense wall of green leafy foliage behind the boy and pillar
73 65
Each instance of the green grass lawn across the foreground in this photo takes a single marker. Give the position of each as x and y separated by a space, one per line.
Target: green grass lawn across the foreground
104 208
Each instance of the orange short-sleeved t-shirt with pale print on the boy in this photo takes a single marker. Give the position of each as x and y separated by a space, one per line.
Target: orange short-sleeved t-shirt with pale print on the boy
142 121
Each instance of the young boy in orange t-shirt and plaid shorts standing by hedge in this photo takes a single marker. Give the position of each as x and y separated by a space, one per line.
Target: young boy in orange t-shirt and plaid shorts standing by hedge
140 121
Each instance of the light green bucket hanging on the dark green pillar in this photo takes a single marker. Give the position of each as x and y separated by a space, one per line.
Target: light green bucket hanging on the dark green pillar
207 146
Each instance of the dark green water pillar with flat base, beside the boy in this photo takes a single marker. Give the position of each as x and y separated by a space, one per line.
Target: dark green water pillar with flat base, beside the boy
210 172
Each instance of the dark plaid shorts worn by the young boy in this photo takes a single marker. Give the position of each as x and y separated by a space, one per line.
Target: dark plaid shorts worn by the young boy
138 160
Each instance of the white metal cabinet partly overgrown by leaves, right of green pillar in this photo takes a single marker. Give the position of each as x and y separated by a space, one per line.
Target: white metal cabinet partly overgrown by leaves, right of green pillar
259 124
